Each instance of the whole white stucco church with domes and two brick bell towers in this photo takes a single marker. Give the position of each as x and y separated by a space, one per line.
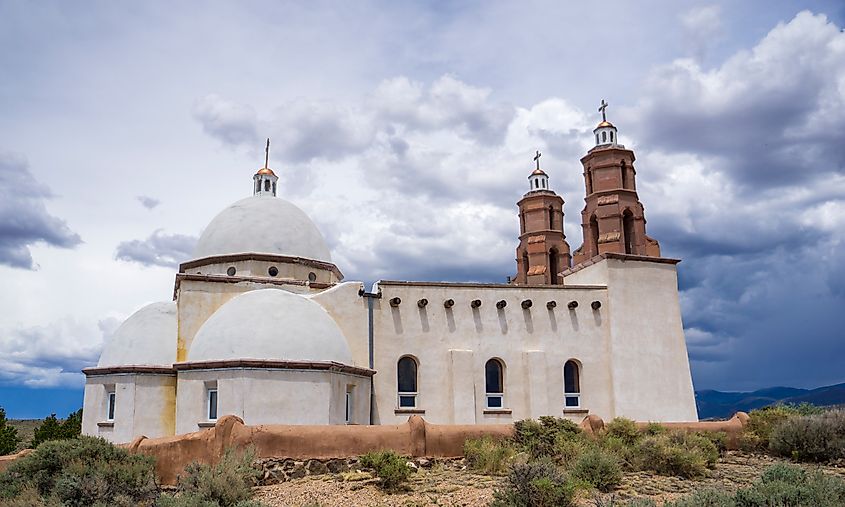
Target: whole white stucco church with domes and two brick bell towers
262 325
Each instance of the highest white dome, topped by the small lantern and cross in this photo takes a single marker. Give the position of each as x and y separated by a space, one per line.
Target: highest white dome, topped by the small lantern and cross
262 224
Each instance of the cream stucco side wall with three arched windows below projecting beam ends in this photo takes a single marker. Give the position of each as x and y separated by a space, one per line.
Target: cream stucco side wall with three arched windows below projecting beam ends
453 345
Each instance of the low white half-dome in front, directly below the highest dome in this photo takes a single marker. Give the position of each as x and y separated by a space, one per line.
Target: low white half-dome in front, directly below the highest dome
270 324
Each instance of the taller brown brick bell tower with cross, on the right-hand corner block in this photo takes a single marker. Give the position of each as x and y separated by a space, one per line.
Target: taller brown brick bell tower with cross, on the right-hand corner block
613 219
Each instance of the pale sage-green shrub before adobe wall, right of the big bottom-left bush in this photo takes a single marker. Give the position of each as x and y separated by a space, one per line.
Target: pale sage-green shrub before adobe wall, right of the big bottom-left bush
226 484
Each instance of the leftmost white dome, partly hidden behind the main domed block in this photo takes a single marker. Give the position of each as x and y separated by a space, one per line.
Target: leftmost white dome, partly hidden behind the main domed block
147 337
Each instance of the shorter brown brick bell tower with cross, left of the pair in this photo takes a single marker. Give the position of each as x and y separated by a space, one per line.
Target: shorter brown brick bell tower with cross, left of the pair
543 251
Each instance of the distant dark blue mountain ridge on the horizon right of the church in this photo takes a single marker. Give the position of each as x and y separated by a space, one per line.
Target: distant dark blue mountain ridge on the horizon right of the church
719 404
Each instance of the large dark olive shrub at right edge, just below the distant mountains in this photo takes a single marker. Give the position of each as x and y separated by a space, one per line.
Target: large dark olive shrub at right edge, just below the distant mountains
811 438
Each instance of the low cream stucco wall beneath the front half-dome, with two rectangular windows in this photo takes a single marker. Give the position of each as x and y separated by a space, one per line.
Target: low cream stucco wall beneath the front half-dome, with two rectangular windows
271 396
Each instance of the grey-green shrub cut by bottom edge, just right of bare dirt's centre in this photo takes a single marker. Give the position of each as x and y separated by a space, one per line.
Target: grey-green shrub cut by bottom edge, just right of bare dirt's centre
535 484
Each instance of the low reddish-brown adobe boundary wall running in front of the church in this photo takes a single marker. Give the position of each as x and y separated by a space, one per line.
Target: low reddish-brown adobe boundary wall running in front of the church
415 438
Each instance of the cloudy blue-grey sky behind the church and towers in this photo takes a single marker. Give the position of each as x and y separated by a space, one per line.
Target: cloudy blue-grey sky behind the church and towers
406 131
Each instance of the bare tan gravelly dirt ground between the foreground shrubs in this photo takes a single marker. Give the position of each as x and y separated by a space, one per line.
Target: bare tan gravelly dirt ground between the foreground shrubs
448 486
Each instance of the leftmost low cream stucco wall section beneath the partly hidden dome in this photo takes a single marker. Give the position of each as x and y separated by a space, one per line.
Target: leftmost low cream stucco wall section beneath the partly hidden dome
145 404
